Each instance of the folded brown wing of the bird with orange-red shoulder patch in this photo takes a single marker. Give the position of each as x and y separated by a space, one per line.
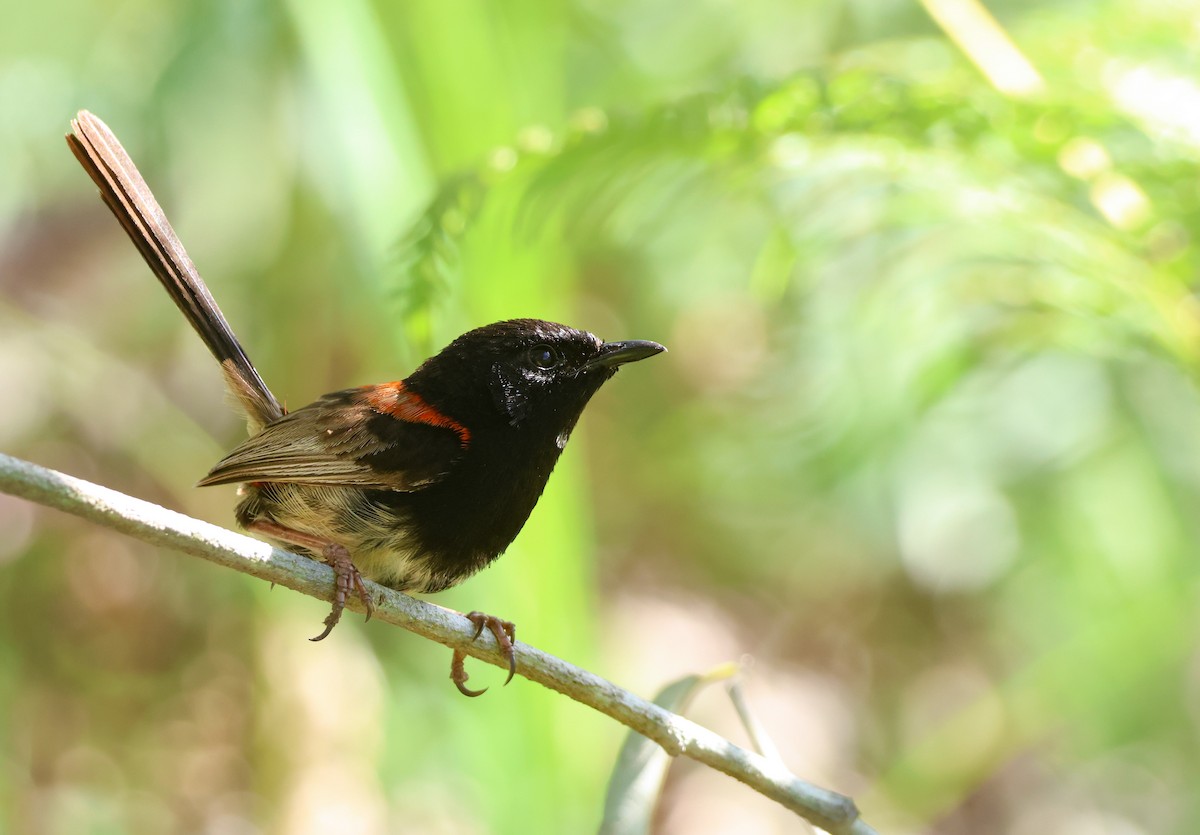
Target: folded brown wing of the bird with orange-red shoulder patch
379 437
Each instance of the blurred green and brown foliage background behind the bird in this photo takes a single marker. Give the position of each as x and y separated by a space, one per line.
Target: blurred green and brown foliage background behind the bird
925 455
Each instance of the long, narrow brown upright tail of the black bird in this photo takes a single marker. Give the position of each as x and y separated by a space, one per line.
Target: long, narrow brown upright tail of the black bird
131 201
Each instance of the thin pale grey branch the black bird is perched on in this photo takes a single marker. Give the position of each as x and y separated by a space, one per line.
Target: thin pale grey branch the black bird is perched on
154 525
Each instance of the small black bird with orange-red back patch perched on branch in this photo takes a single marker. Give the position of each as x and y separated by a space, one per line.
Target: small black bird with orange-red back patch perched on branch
415 484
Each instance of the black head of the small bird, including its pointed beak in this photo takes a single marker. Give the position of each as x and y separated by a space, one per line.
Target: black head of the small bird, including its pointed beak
527 375
